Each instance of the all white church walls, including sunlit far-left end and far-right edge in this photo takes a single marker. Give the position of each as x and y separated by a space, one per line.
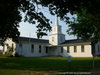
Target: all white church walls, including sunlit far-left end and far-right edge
25 50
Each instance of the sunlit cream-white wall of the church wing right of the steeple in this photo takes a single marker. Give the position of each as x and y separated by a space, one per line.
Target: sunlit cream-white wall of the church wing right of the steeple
87 51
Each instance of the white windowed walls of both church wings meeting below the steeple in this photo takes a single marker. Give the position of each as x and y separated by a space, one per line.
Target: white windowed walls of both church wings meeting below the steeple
54 51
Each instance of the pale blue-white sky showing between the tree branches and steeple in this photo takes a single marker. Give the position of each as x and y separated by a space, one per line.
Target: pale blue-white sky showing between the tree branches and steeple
29 30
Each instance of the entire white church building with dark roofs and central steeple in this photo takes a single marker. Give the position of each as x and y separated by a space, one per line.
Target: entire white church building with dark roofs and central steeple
55 46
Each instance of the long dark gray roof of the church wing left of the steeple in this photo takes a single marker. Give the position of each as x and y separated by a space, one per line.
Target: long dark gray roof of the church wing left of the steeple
35 40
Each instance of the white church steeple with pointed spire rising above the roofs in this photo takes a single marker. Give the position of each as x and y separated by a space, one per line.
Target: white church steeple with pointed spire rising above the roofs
56 37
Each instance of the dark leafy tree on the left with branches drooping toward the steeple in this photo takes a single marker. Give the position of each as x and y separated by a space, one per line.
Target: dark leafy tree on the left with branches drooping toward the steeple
10 17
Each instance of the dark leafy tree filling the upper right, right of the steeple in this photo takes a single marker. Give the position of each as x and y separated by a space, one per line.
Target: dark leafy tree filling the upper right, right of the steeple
87 23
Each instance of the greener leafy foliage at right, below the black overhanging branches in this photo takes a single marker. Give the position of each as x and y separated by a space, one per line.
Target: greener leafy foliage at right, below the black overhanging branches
86 26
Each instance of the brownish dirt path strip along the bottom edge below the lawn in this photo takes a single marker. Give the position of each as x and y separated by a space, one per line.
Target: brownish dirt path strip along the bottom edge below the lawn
92 72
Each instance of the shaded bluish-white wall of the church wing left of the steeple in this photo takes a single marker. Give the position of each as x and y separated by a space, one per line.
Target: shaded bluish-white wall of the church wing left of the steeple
25 50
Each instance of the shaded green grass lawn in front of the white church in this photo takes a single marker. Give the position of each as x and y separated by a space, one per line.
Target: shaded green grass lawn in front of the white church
20 65
